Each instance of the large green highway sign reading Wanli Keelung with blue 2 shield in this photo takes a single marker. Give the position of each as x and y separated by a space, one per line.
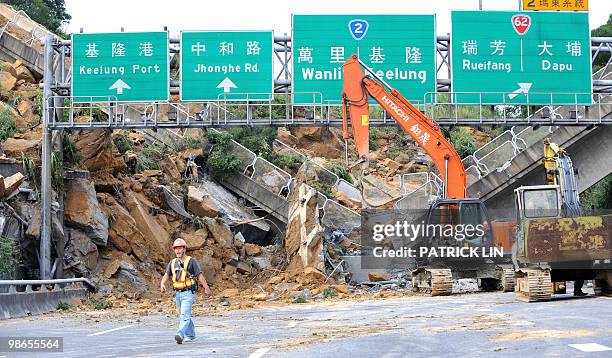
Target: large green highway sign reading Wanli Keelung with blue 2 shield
399 48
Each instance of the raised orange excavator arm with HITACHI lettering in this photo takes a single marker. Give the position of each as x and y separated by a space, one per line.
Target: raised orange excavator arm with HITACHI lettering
426 133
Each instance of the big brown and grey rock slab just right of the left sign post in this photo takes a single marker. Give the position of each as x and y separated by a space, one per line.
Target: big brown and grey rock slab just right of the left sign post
82 211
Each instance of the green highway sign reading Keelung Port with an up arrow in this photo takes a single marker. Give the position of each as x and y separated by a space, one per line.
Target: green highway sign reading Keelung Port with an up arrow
126 66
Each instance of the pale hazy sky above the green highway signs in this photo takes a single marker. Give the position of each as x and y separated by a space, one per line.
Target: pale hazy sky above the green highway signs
177 15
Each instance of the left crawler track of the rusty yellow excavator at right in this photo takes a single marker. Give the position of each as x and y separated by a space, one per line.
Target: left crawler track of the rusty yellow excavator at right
533 285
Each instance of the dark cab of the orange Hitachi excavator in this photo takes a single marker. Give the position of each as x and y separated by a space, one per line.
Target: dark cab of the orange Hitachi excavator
464 215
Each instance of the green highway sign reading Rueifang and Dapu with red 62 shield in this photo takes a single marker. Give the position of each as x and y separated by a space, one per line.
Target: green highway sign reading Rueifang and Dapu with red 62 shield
521 57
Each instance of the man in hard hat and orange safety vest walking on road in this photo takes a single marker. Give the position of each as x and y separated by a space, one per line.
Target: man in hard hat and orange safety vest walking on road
184 270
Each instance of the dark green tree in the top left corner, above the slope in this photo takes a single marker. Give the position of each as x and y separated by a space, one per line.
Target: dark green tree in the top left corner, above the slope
49 13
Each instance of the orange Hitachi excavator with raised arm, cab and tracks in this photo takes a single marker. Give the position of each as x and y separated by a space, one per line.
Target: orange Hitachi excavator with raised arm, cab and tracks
434 277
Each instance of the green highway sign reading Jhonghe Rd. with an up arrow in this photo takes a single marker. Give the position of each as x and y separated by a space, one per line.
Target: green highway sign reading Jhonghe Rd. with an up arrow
228 65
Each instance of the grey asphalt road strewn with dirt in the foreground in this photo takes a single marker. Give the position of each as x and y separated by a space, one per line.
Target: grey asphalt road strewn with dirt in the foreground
480 324
